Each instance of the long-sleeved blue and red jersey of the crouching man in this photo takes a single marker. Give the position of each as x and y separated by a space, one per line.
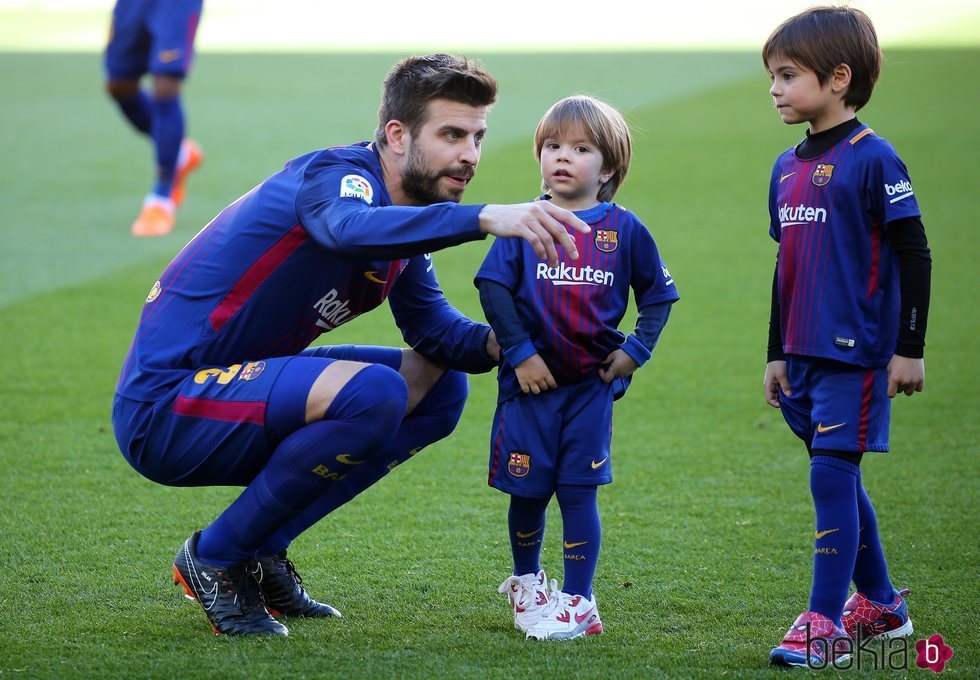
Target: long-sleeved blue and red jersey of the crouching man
297 256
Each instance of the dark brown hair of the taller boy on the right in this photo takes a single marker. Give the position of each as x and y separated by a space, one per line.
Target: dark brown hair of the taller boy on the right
822 38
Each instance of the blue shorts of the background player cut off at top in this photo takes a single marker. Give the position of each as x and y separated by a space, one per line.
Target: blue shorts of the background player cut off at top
155 36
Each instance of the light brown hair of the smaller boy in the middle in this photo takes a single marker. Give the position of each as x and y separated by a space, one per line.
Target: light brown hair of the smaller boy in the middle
604 124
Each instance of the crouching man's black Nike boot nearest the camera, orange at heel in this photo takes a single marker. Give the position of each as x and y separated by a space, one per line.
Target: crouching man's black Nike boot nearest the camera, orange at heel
229 595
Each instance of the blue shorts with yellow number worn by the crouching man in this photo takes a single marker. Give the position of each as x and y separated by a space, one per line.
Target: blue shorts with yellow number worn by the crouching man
219 426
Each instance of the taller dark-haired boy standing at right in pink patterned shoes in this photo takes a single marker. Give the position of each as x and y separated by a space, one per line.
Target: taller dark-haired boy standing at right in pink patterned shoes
849 304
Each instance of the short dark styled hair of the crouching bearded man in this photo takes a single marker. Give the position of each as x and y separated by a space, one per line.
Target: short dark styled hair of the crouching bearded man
414 82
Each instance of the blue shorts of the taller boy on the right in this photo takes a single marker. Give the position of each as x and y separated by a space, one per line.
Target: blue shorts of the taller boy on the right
837 406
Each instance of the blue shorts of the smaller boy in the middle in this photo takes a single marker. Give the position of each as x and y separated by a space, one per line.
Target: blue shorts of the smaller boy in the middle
561 436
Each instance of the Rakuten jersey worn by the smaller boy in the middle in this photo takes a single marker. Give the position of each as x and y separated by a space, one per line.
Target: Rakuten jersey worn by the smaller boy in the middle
572 311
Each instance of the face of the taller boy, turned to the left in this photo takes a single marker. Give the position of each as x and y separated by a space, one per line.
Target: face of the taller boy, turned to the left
800 98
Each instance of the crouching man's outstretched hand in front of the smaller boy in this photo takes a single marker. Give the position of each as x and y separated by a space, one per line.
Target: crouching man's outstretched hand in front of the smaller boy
541 223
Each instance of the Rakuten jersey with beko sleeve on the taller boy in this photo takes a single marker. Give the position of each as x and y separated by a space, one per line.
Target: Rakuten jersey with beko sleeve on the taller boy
838 278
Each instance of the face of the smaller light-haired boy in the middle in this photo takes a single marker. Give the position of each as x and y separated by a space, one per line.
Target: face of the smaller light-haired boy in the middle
571 166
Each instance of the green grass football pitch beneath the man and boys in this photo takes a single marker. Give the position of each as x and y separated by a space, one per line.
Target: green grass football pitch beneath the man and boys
707 529
